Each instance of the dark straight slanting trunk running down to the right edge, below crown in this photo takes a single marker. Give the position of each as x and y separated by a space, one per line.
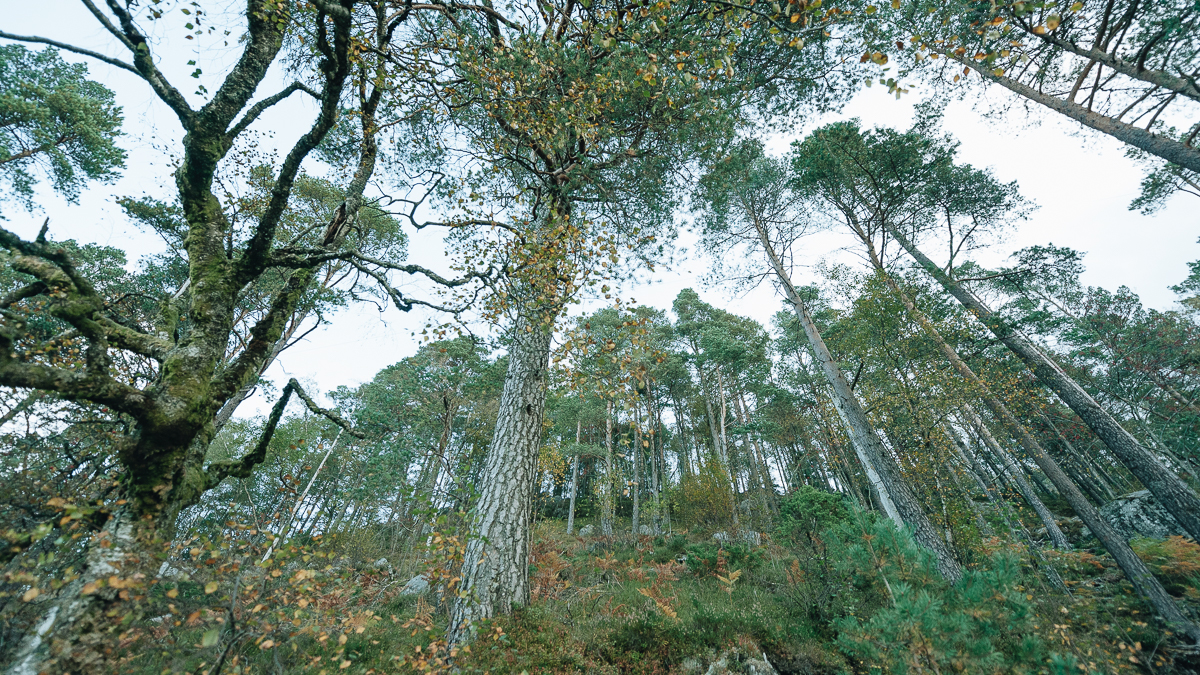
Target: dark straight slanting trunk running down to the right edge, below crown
1168 488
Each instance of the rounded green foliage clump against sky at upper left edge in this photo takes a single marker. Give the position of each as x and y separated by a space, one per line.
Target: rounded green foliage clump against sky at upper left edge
57 123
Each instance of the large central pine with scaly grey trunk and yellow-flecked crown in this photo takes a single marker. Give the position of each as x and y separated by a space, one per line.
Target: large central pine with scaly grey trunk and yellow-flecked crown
575 124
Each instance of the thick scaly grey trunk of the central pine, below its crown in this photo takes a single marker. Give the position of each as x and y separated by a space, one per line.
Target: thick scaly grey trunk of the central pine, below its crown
496 563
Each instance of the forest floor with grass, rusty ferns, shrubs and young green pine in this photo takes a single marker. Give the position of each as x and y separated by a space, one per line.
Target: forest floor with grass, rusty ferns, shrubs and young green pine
853 598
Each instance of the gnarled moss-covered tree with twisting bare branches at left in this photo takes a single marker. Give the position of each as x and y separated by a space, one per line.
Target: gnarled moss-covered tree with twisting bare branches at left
171 416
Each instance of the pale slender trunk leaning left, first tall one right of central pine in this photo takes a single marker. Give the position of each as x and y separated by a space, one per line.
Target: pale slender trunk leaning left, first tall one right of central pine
905 510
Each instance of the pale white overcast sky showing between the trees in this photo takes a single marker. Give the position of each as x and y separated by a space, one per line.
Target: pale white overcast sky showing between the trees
1082 183
